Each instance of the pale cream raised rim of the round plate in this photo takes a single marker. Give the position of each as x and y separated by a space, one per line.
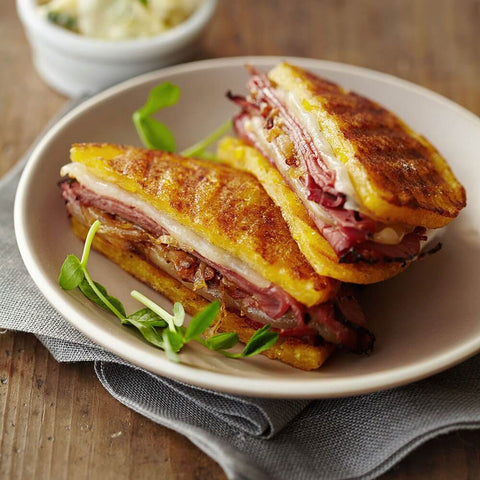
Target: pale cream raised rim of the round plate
273 388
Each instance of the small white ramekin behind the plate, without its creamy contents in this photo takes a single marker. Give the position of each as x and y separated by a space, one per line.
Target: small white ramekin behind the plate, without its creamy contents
78 65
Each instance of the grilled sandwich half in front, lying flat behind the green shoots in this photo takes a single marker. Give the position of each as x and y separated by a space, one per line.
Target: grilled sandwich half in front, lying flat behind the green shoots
197 231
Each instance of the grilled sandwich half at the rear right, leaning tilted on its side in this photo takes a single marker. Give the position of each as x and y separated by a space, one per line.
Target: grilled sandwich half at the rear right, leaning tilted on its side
359 189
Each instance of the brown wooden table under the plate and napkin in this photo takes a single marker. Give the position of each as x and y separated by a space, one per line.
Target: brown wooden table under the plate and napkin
57 421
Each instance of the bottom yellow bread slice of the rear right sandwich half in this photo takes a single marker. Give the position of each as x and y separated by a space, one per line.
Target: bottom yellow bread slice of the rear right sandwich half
311 242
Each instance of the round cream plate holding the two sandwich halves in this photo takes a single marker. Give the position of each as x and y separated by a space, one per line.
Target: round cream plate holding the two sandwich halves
425 320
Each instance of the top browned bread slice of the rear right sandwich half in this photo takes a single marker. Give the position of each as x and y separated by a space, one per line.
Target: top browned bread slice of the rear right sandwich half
398 174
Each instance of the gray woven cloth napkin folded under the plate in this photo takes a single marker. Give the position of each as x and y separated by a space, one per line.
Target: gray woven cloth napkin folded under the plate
251 438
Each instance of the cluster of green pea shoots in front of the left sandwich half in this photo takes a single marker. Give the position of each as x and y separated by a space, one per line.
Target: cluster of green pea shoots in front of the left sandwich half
155 324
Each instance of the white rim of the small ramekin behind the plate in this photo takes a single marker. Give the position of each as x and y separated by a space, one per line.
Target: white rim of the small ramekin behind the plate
95 47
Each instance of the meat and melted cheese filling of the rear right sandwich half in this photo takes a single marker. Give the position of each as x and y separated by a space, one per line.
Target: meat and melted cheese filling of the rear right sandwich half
275 122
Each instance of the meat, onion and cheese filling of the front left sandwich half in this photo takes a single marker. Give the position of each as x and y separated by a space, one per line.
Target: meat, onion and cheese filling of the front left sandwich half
130 224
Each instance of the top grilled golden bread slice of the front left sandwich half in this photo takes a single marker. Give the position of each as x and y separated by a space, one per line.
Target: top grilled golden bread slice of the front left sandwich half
227 207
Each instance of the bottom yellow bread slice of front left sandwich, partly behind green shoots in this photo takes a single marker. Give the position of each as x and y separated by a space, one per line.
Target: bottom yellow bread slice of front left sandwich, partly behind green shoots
290 350
